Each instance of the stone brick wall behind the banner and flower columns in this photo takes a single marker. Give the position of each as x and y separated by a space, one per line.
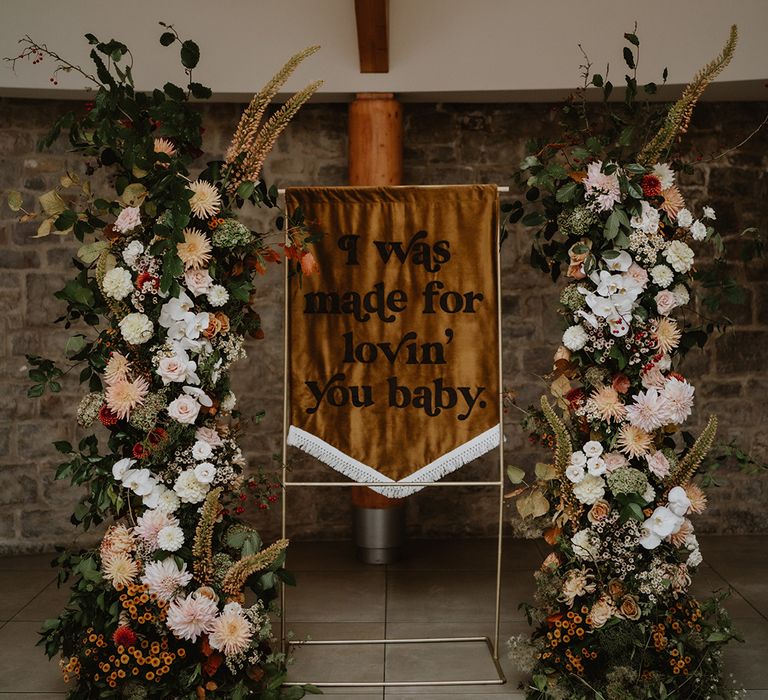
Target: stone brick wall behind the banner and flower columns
444 144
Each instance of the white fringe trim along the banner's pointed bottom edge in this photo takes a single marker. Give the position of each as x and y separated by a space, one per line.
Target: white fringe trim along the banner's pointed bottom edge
362 473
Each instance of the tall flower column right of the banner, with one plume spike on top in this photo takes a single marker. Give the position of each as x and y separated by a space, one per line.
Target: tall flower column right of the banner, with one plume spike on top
614 616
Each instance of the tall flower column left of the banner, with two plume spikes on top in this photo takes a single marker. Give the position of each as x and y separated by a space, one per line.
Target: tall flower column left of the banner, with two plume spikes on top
176 600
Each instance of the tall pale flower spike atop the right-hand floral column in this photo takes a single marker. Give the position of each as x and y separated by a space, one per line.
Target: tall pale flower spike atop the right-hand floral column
679 114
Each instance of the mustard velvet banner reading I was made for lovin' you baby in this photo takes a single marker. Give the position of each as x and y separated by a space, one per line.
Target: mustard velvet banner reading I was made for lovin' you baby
393 345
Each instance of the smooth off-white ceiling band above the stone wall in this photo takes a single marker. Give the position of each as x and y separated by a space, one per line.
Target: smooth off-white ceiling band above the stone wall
478 50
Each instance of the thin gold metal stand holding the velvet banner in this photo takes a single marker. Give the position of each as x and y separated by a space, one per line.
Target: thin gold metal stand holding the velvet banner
492 645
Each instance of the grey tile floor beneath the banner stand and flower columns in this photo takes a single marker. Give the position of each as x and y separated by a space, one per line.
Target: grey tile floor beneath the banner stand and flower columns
439 589
